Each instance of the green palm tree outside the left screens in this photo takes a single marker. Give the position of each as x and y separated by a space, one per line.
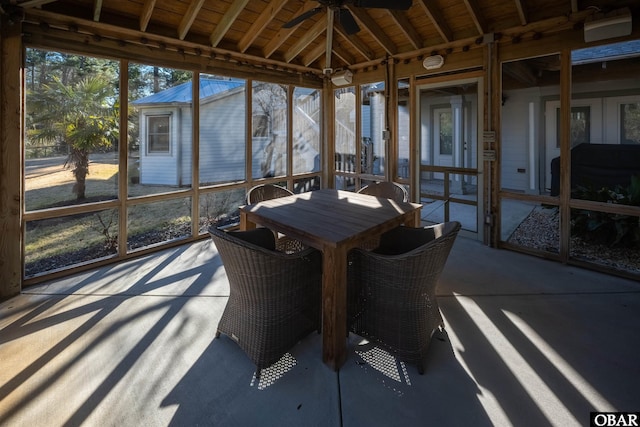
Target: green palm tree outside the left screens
77 115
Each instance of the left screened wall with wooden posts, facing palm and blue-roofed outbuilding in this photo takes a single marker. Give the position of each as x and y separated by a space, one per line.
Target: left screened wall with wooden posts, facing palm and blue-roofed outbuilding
123 157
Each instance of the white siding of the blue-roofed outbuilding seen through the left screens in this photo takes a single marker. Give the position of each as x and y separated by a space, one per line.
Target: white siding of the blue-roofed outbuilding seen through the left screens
222 142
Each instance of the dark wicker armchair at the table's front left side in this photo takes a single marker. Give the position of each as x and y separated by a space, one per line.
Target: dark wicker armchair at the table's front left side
274 298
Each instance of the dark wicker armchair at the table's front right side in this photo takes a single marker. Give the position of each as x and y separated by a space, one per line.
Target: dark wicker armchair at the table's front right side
391 290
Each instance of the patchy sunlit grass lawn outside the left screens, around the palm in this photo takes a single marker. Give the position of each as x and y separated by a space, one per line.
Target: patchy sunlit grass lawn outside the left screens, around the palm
64 241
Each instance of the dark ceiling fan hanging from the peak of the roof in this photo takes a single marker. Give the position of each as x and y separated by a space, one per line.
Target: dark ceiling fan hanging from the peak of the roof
335 8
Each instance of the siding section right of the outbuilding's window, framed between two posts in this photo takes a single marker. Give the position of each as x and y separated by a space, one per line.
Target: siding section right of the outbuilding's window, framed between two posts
222 138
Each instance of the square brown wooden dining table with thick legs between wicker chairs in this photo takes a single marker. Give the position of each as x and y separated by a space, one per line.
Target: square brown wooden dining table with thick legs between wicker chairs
334 222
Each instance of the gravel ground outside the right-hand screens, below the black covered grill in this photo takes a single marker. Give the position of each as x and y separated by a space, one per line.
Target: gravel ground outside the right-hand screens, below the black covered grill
541 230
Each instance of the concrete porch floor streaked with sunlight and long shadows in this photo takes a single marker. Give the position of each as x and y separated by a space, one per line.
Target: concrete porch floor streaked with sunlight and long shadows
528 342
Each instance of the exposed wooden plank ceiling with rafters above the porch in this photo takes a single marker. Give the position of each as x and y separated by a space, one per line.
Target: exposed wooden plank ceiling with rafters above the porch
252 30
